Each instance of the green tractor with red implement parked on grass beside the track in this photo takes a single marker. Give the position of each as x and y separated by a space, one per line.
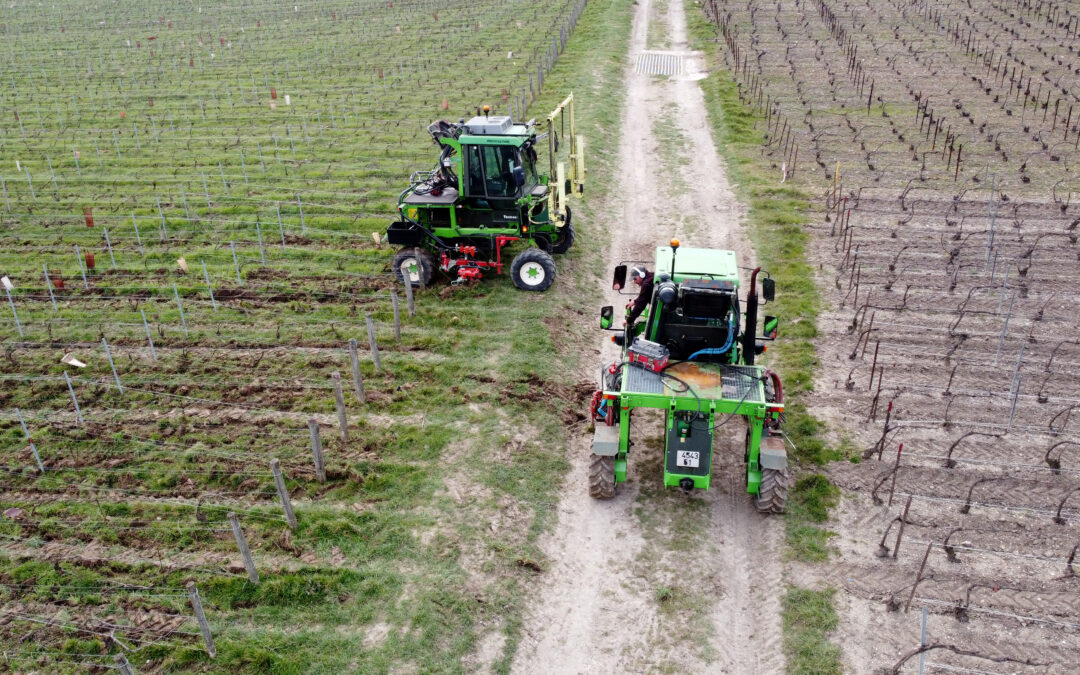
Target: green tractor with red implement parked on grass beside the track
485 195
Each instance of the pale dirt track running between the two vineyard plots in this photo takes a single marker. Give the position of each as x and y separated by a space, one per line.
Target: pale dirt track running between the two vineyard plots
654 578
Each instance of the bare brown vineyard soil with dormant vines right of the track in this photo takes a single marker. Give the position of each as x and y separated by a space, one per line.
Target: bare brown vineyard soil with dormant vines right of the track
951 316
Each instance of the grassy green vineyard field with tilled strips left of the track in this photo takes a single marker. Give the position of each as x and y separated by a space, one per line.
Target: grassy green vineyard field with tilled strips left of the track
421 538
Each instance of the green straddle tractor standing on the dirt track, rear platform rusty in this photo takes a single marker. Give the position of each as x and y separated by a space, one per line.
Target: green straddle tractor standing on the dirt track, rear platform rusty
693 356
